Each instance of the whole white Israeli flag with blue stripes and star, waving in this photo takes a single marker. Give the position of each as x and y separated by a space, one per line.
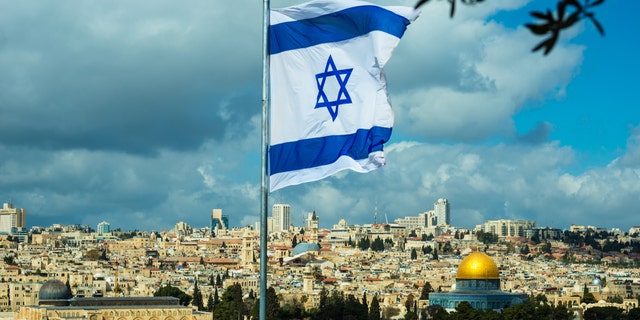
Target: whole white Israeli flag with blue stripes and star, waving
329 105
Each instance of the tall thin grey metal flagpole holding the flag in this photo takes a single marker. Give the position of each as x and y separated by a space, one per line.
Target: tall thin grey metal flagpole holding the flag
264 200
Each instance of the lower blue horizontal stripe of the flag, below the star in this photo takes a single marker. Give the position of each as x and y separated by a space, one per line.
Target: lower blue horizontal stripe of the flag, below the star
321 151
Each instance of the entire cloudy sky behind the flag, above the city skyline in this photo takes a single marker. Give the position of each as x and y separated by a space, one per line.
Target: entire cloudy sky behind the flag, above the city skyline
145 115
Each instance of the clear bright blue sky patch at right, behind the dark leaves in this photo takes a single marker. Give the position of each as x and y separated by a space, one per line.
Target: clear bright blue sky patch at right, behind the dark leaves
601 106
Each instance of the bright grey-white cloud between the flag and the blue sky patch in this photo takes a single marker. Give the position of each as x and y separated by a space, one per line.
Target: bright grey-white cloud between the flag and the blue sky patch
463 79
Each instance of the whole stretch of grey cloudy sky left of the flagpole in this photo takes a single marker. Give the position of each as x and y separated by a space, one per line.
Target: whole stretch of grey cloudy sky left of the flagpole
108 109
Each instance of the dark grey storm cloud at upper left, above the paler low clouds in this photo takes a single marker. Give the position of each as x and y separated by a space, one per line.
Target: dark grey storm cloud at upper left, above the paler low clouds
122 77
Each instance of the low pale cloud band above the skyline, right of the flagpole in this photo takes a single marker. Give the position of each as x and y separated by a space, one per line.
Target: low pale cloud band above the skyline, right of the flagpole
478 180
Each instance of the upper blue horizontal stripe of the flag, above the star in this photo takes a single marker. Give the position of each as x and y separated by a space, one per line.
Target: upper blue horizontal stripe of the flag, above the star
337 26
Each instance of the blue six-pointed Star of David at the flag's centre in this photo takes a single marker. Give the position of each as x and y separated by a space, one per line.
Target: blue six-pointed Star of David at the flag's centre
342 77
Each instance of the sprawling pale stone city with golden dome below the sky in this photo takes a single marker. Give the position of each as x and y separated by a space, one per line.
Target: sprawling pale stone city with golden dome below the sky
71 271
